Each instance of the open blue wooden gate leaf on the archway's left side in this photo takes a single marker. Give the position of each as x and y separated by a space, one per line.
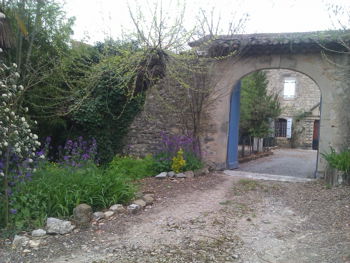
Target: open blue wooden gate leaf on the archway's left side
233 133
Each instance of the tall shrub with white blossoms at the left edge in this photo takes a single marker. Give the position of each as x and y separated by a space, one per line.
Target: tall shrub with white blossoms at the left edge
18 144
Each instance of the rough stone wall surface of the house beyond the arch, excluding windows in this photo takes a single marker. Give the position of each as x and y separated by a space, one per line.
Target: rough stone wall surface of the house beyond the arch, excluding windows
303 108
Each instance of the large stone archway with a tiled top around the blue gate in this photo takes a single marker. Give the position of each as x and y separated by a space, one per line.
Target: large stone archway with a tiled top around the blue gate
264 52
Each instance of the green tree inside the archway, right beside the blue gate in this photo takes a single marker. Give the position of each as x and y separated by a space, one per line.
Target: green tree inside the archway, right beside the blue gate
257 106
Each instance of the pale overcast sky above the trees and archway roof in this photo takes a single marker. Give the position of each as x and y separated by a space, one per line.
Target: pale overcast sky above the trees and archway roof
98 19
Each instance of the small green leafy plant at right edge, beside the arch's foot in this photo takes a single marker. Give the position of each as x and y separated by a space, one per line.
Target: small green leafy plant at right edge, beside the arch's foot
339 161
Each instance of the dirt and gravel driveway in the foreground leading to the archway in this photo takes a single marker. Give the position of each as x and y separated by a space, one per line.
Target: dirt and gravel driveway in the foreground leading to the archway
214 218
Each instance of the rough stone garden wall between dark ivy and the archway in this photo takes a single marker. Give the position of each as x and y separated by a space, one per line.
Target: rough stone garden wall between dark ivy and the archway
175 106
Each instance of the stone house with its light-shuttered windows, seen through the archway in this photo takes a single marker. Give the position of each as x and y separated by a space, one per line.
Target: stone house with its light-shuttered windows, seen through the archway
298 124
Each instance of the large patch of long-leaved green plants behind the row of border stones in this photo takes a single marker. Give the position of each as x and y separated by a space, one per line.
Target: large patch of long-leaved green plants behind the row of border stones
55 190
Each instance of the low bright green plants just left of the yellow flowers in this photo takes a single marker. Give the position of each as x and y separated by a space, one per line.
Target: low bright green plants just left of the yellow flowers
132 168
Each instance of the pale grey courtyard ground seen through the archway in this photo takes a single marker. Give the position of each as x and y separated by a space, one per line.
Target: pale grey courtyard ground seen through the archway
291 162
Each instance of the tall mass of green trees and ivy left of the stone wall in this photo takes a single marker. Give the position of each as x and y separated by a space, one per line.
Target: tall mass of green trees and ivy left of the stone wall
73 89
